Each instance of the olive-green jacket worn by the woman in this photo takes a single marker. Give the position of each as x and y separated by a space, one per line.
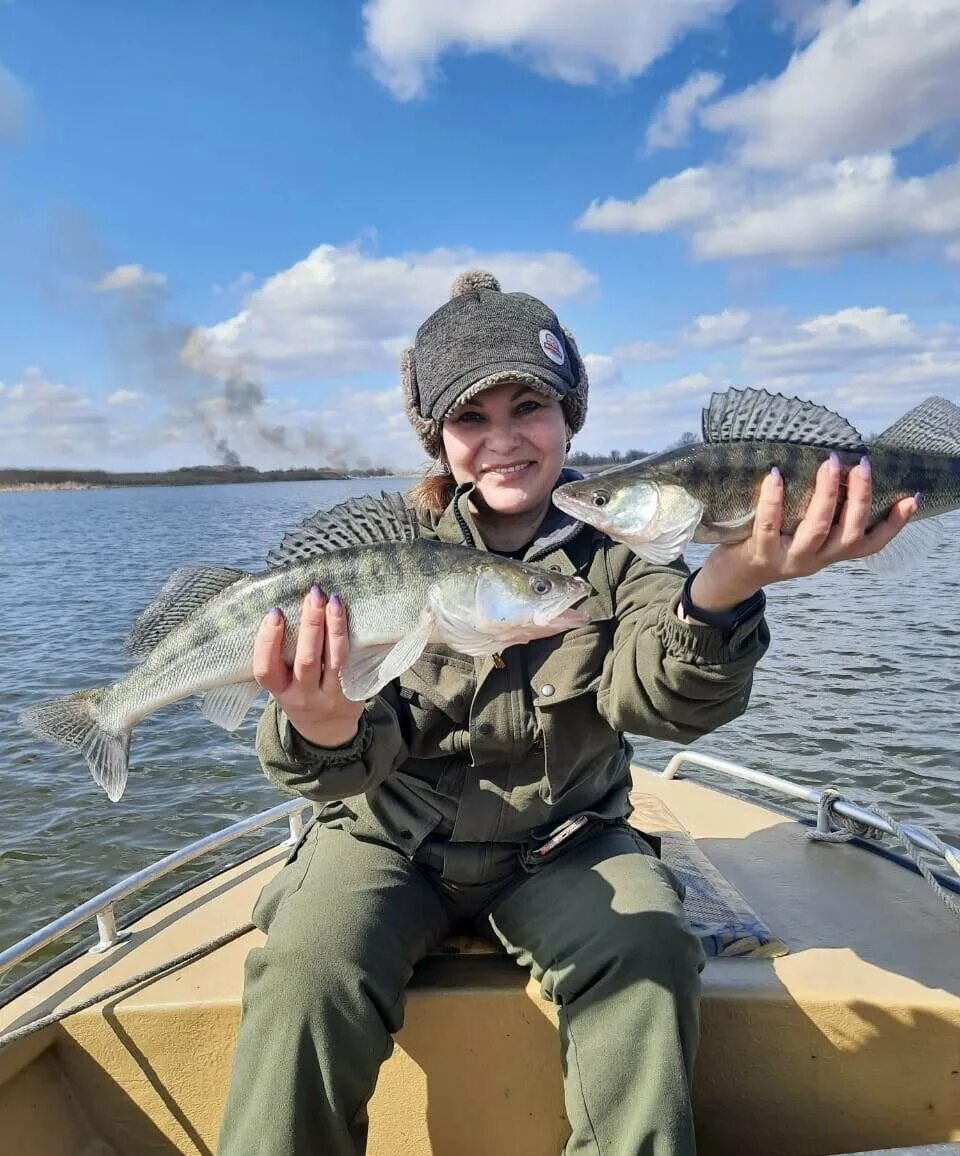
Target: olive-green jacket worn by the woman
476 753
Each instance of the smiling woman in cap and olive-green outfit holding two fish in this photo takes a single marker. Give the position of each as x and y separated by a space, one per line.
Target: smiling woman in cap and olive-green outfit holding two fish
498 790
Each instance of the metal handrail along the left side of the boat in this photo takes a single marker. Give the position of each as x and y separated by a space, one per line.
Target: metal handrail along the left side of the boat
101 907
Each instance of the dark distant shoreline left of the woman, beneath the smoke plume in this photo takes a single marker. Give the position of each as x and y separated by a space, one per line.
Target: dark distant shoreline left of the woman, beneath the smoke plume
25 481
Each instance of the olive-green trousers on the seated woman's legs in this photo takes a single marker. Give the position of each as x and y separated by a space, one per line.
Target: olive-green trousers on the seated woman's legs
599 922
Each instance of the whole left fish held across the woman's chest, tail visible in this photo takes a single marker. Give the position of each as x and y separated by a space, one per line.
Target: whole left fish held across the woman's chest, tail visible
401 591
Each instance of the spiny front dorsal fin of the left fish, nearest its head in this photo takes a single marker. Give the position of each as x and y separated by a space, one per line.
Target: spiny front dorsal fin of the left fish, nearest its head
359 522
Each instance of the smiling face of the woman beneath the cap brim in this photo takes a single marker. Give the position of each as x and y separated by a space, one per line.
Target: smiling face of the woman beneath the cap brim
511 442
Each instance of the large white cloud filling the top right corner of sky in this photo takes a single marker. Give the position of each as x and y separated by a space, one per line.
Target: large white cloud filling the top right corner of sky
875 79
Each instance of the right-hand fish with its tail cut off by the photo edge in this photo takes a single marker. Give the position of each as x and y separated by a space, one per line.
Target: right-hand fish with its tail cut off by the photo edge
708 492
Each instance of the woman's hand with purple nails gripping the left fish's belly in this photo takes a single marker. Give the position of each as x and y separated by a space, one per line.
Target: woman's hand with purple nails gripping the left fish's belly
309 694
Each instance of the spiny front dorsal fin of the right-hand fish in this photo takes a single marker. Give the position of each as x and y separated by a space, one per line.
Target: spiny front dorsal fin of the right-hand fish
756 416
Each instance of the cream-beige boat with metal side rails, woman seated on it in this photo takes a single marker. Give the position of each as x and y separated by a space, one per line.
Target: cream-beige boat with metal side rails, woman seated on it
831 1013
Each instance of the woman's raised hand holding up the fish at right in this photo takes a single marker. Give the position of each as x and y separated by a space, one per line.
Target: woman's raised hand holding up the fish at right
733 574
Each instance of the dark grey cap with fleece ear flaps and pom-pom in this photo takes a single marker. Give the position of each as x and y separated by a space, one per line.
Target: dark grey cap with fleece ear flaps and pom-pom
481 338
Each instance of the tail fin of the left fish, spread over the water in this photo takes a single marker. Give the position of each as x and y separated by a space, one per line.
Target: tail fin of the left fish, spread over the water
75 722
